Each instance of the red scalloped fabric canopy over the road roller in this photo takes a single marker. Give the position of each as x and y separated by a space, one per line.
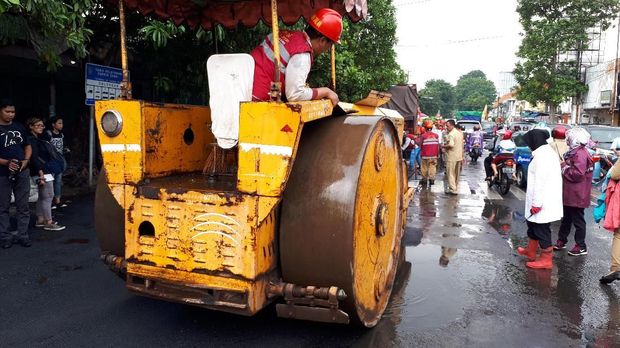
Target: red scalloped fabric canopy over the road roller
230 13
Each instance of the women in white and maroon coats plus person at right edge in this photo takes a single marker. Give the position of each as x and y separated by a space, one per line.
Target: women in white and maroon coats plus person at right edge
559 185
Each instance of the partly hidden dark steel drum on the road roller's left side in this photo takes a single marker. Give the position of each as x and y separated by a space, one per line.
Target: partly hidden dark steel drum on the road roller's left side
109 219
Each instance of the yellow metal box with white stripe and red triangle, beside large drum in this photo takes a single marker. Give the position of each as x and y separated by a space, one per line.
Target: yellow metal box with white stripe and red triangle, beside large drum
268 138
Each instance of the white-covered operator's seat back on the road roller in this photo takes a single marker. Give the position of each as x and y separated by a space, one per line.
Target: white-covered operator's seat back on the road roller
230 82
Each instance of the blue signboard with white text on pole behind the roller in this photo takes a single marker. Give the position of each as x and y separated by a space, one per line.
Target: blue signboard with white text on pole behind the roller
102 83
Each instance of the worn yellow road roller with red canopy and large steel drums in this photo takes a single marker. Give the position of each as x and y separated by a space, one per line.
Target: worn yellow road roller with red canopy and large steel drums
306 209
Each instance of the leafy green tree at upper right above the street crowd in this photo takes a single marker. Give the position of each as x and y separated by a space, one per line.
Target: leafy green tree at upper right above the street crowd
552 28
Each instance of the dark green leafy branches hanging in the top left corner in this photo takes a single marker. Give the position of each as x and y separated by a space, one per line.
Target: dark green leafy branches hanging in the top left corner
50 26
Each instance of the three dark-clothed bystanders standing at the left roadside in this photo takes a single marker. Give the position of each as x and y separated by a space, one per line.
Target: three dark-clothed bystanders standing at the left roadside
29 155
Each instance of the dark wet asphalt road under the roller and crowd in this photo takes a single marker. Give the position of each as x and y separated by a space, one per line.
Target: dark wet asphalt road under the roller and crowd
462 285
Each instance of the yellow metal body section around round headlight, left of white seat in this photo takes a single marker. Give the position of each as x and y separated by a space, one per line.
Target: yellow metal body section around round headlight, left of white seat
151 143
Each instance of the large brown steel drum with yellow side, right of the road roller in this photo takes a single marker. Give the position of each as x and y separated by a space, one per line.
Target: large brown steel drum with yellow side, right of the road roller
341 222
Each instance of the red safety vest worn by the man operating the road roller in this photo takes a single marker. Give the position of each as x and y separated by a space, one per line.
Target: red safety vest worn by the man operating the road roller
291 43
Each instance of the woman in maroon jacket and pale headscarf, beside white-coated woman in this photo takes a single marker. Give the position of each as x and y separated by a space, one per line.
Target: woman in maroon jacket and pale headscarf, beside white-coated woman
577 169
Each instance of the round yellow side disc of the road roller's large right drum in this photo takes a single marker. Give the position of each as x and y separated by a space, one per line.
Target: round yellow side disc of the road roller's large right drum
378 219
